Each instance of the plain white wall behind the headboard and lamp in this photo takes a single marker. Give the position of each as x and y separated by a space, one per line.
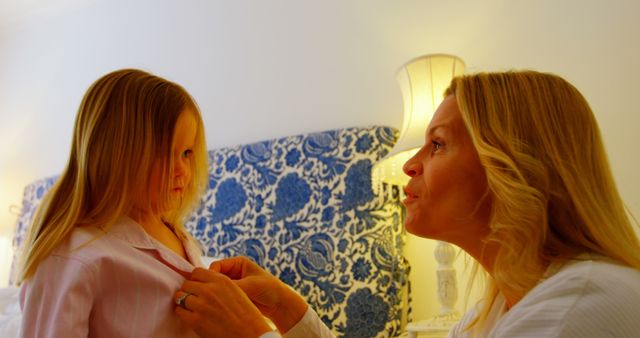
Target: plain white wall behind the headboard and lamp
264 69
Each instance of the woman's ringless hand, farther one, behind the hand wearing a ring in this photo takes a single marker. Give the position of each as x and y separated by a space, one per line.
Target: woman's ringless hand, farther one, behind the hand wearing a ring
274 299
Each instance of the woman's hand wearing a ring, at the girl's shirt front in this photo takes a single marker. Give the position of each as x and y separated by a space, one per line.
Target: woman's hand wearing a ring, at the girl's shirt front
217 307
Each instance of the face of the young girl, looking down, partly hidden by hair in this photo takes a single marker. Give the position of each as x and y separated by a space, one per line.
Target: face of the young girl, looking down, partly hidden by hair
184 137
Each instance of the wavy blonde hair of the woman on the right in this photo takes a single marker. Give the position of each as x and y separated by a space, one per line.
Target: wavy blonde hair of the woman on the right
553 194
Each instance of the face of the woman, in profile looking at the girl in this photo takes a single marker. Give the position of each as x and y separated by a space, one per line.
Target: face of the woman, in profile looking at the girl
447 195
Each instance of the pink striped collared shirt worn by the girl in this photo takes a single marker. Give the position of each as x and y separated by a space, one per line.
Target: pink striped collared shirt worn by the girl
118 284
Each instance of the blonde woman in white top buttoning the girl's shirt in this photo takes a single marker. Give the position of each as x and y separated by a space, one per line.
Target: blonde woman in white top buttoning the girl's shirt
513 171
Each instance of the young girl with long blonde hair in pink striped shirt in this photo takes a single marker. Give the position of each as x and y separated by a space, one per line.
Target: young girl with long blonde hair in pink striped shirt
107 249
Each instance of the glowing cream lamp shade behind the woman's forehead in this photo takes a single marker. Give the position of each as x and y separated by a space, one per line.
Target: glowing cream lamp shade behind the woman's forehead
422 81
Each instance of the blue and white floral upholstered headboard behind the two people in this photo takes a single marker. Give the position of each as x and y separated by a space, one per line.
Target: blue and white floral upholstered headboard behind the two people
303 208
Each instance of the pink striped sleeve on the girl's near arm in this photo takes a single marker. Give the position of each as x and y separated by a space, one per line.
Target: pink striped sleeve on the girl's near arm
57 300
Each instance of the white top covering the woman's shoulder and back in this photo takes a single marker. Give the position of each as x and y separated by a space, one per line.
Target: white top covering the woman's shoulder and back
588 298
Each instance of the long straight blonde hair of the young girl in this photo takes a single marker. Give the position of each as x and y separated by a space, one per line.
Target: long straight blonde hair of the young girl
125 125
